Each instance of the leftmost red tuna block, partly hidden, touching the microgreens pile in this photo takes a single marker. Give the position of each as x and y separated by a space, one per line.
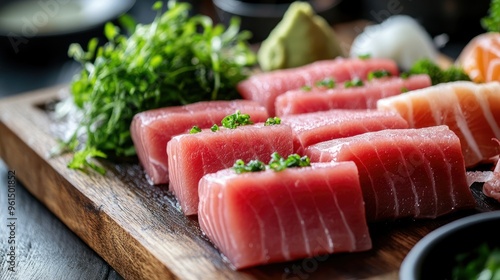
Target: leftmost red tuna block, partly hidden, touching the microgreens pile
151 130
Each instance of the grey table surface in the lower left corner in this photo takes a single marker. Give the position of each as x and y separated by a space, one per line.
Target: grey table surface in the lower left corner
43 247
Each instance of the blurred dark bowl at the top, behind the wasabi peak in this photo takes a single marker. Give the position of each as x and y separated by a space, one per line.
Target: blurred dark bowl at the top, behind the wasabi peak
261 16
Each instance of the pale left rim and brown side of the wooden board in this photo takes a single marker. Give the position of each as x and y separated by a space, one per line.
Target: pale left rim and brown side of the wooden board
82 201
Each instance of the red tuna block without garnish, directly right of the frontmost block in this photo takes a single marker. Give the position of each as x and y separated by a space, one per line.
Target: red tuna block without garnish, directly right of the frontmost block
418 173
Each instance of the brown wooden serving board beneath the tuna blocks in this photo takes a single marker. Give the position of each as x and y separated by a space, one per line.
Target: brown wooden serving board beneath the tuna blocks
137 227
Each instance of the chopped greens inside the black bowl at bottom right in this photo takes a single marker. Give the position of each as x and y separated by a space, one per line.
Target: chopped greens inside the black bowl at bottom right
482 263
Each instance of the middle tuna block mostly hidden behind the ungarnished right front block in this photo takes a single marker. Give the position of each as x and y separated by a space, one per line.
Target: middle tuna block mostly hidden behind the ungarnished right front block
312 128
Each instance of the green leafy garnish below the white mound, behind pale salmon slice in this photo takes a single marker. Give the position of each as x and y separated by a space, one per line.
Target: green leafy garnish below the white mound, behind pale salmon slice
436 73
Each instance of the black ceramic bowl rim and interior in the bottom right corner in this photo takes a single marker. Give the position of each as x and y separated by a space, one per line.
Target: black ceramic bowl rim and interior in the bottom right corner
433 257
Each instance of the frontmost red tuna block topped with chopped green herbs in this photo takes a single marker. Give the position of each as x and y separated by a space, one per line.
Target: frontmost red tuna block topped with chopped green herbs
266 217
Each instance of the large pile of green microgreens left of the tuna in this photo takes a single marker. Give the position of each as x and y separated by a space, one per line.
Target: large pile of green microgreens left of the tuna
177 59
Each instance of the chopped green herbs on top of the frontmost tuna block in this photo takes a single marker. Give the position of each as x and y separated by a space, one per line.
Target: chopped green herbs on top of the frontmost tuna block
277 163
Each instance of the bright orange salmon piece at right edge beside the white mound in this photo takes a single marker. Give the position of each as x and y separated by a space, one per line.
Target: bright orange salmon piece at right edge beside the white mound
480 58
